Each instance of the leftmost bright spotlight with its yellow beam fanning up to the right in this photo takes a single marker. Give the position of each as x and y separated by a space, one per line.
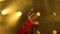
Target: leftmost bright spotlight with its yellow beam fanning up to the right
11 8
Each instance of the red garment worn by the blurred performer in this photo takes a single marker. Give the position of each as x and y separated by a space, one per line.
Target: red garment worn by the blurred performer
27 29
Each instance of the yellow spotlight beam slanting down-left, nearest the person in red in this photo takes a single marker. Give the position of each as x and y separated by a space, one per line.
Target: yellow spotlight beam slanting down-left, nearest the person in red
13 18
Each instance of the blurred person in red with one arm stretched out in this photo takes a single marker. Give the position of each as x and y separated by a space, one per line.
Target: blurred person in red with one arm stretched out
27 27
